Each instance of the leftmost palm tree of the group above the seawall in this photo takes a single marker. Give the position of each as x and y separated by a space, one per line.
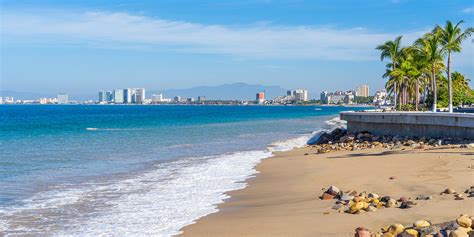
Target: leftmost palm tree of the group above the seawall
391 50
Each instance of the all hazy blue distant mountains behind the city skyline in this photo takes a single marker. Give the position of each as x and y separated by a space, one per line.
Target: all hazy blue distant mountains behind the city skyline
234 91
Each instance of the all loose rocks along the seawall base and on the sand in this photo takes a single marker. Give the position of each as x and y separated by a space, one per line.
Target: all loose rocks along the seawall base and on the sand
353 202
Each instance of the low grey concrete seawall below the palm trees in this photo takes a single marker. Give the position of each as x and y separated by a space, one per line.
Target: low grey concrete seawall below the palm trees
411 124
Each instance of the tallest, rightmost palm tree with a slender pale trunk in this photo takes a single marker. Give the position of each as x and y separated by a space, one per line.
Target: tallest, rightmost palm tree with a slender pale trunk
451 37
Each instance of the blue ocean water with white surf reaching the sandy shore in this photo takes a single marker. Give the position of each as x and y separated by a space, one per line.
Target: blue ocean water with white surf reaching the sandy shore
136 170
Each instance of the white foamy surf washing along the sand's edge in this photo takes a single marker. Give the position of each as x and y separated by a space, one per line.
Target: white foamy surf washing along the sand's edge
159 202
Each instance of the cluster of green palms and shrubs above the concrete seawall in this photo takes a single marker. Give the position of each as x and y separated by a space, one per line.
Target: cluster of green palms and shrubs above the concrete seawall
415 72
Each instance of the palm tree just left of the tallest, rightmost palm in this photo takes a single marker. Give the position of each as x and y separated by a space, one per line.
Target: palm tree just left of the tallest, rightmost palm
429 50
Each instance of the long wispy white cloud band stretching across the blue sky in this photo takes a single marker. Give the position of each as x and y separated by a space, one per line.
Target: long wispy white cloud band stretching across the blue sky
125 31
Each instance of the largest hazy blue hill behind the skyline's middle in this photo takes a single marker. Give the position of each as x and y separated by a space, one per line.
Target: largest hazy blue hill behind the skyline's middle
234 91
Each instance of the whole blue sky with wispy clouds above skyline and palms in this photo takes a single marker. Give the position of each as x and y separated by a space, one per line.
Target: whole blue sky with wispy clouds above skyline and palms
84 46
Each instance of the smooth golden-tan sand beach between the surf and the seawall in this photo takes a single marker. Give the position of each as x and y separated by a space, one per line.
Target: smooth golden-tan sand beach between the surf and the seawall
283 199
